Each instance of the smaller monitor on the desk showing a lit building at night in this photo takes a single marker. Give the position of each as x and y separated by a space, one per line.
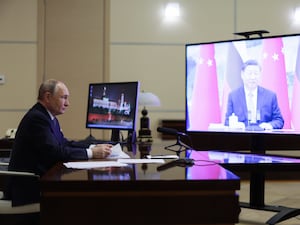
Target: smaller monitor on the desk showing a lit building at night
114 106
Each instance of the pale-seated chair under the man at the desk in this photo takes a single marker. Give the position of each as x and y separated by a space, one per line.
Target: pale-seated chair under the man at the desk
25 214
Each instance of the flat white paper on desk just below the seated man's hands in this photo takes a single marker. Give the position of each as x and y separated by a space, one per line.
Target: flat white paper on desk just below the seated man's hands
93 164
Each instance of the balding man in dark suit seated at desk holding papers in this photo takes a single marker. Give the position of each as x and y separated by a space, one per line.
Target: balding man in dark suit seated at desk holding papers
39 143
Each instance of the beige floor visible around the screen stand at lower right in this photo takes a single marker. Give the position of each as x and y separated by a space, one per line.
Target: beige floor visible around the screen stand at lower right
278 193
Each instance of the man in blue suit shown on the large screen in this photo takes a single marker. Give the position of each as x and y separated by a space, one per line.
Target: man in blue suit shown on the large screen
254 105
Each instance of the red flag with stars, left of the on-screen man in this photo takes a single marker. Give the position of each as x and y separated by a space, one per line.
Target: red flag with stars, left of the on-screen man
205 106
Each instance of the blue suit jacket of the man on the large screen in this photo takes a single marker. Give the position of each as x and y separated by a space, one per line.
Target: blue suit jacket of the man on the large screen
266 103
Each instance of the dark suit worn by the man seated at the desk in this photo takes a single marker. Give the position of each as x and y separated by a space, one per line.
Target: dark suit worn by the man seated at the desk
39 144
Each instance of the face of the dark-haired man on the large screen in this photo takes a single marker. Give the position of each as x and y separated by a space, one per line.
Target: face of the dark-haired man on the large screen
251 76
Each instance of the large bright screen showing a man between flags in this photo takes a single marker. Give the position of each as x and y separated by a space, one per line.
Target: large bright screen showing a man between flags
244 85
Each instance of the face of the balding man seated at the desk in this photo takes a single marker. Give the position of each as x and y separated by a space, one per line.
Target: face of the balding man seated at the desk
59 101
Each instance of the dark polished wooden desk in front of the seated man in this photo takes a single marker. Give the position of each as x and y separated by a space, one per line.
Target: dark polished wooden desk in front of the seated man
138 194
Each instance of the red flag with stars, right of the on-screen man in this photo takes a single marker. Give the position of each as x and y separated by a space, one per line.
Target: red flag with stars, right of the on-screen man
274 75
